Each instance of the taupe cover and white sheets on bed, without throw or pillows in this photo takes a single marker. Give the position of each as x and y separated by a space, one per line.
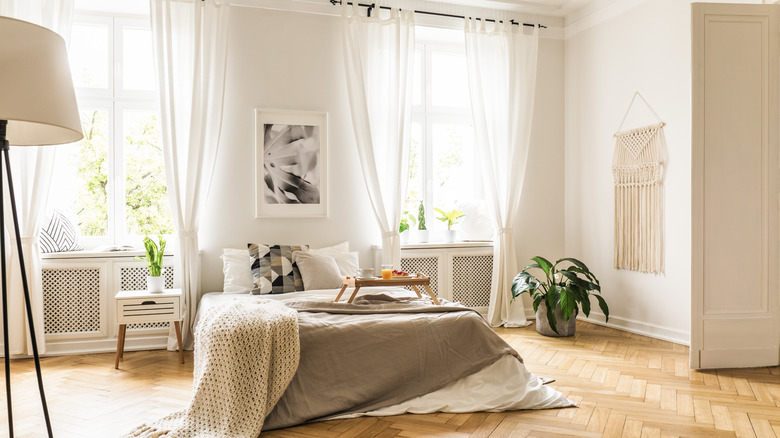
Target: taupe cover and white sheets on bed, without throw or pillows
459 379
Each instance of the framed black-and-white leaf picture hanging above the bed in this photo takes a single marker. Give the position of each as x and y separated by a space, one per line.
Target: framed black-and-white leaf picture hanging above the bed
291 164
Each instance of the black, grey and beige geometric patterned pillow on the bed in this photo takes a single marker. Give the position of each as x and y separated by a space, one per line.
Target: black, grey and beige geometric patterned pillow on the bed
273 268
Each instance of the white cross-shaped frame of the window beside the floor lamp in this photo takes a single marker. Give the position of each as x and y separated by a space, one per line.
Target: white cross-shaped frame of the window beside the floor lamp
116 100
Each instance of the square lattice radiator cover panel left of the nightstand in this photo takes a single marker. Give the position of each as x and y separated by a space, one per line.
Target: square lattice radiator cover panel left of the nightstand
71 300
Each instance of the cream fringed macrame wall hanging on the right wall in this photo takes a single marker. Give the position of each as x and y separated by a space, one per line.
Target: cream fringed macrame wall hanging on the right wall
637 167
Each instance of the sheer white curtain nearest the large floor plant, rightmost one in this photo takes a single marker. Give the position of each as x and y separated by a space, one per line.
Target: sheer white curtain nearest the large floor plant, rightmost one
502 80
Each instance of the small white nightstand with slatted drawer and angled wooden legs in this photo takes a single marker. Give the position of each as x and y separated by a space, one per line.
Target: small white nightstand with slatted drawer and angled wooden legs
140 306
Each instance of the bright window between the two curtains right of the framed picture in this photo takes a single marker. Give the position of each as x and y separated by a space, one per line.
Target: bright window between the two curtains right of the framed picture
442 162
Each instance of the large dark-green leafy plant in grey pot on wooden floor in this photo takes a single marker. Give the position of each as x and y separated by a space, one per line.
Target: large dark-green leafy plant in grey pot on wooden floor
570 288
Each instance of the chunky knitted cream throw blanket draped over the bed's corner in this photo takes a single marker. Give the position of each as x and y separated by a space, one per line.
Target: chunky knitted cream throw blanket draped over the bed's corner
245 355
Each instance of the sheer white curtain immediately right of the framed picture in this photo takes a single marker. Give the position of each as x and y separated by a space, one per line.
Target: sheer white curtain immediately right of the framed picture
378 57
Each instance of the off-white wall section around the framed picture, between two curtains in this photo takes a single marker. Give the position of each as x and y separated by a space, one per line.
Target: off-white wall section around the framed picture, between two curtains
282 60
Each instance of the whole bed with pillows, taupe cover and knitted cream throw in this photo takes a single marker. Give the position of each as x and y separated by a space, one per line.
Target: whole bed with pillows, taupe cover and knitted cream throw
269 355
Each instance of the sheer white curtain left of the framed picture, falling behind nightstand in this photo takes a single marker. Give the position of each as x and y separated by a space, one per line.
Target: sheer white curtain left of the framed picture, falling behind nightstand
190 41
